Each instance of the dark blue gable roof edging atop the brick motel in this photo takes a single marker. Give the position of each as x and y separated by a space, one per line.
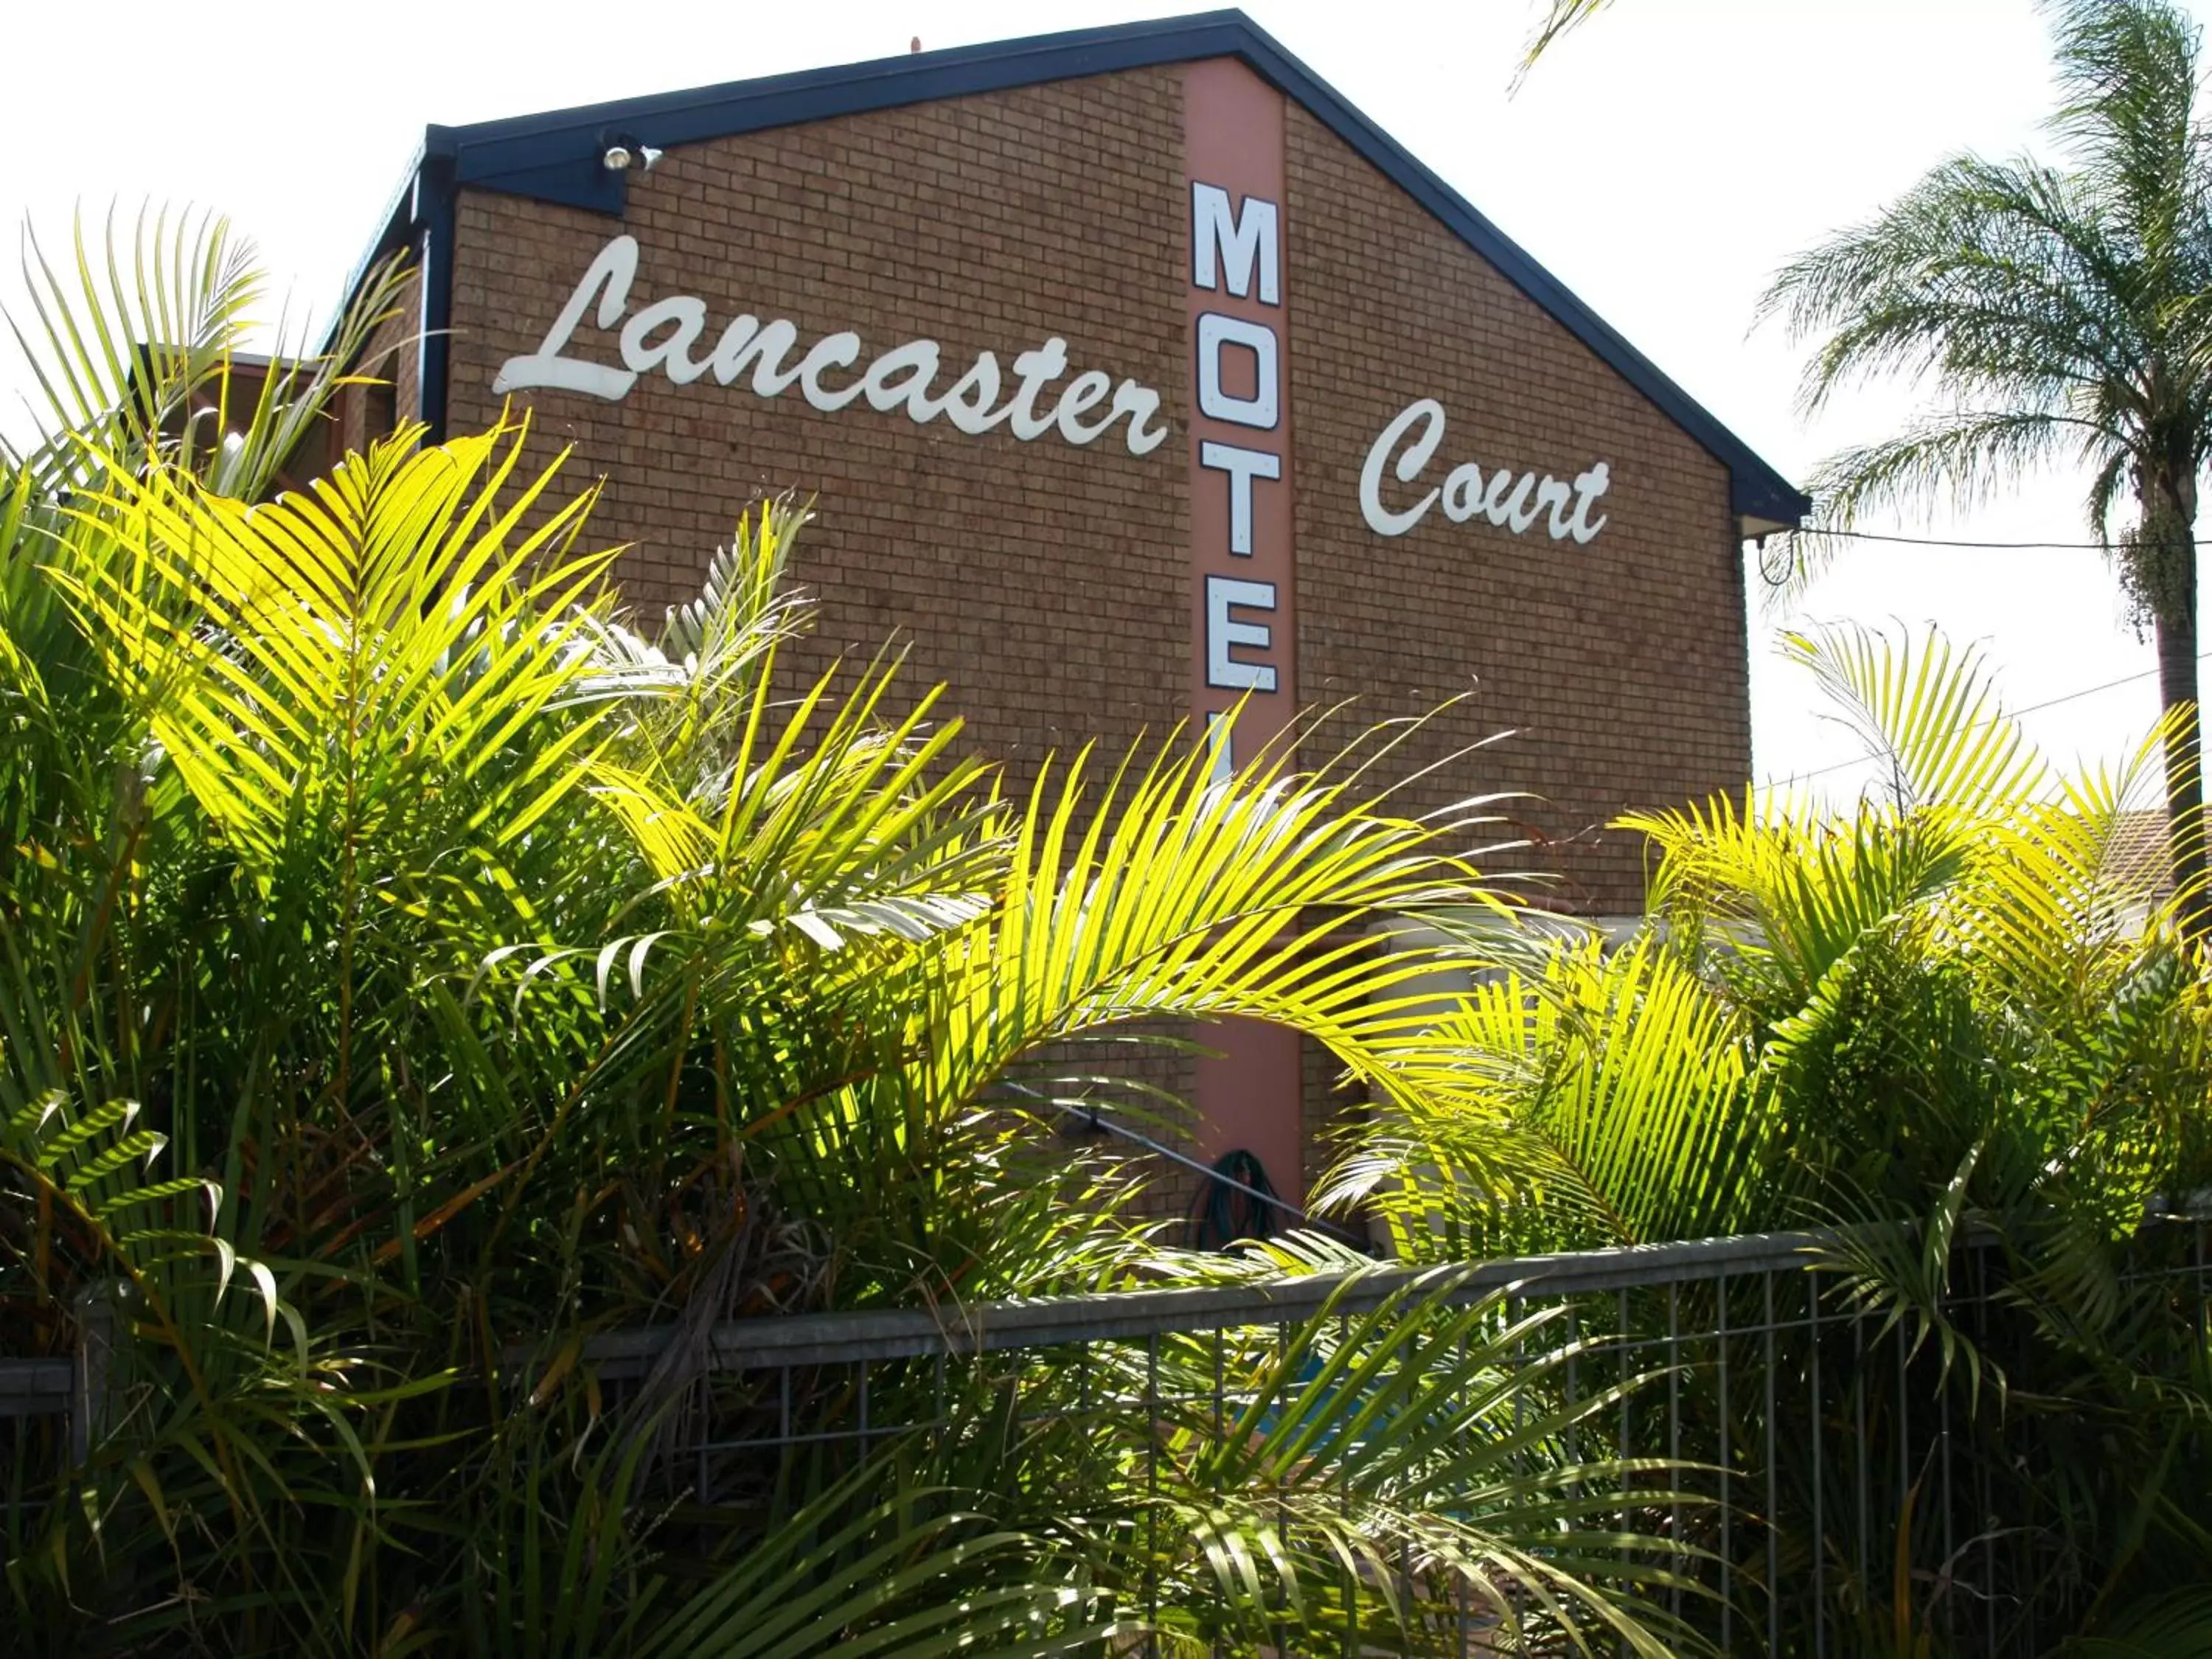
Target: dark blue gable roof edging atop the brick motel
556 158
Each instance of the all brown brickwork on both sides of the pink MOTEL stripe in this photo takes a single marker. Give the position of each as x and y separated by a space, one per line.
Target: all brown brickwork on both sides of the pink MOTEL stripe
1047 585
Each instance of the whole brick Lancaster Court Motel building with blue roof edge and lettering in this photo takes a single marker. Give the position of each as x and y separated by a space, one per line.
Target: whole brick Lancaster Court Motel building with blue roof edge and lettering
1131 373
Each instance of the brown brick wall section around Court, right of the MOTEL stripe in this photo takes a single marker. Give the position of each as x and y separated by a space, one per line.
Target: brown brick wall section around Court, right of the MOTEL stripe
1620 665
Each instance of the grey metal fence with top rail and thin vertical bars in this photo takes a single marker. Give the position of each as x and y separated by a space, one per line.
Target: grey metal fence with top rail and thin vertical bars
1830 1474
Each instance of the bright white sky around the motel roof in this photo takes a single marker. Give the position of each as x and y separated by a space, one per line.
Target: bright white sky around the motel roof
1662 163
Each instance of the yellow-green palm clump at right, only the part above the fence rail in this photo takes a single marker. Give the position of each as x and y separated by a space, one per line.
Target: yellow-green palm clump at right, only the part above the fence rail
1762 1050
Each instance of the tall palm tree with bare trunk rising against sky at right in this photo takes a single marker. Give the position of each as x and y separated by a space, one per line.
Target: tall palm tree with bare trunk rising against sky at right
2058 313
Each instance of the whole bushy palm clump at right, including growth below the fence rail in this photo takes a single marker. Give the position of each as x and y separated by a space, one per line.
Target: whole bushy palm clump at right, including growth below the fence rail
1950 1008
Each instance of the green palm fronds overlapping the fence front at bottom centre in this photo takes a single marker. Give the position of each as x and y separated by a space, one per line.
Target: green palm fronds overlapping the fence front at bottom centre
1399 1474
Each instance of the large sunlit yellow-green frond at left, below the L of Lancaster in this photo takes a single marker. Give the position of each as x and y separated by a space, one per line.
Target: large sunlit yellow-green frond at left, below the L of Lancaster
393 616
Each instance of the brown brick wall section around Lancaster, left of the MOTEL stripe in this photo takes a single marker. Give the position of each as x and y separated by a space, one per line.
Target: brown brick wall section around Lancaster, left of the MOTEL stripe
1043 583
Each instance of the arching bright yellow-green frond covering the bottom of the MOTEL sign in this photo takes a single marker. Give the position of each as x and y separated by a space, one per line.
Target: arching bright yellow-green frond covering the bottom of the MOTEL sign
1171 895
